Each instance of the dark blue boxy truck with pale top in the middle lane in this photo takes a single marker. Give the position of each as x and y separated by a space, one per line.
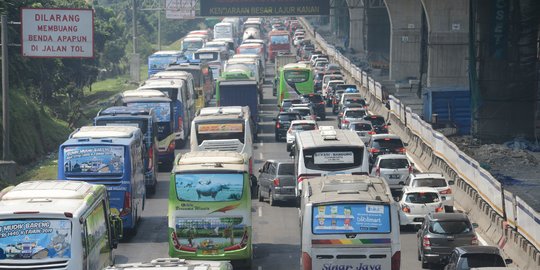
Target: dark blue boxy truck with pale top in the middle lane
236 87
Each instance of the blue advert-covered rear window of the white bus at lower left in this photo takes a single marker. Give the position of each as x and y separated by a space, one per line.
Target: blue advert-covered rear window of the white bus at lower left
31 239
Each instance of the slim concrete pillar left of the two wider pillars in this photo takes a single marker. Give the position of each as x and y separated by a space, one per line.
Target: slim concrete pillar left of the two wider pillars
356 25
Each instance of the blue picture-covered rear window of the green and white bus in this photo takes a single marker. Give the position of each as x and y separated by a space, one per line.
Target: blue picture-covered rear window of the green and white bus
209 187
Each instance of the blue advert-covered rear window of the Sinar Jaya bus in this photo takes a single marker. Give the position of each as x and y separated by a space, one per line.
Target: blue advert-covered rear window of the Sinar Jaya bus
347 218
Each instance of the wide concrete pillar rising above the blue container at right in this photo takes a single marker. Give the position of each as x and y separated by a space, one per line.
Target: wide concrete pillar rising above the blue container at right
448 38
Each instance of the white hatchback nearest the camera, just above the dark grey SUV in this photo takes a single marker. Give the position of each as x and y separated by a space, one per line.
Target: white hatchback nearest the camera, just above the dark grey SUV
416 203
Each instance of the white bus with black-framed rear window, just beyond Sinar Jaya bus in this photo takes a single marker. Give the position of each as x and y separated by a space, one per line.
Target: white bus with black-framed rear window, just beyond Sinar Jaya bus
328 151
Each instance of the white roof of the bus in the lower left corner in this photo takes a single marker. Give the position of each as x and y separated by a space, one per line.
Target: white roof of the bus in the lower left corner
56 197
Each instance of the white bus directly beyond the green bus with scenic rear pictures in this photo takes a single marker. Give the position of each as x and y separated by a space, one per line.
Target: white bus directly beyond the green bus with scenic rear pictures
226 128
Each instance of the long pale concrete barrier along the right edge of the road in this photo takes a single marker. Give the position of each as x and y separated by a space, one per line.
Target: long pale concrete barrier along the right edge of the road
522 223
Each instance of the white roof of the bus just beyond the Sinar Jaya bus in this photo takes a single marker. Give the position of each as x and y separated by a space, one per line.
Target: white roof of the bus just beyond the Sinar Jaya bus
328 138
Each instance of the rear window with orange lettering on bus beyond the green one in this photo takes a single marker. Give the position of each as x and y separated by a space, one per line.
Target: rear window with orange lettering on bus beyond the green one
220 131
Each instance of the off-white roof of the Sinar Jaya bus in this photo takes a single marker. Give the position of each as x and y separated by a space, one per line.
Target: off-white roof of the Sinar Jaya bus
338 188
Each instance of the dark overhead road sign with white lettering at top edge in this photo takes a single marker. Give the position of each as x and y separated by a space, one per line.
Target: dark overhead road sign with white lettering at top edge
217 8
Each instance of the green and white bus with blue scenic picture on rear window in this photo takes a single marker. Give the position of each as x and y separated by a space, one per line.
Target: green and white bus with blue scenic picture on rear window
210 207
